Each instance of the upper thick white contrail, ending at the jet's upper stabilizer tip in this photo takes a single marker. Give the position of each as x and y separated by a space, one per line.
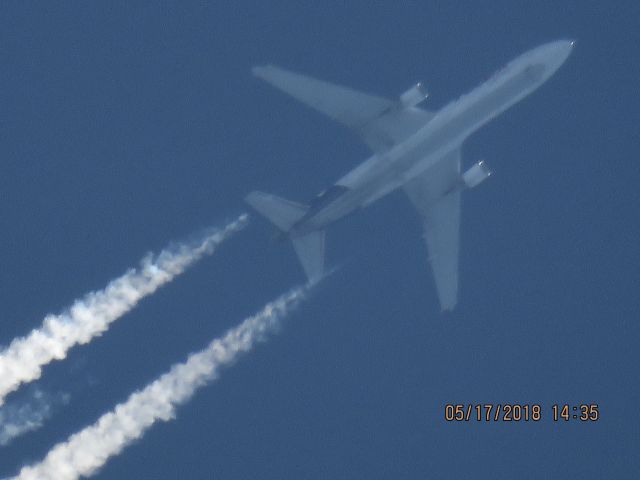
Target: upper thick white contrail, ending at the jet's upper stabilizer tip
23 359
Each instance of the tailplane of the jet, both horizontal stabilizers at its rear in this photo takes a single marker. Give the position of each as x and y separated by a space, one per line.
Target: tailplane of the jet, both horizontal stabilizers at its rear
284 214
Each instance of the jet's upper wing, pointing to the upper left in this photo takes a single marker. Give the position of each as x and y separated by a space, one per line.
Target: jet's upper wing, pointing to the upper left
381 123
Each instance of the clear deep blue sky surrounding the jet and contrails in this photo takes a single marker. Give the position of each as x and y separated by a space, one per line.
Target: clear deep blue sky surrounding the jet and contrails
127 125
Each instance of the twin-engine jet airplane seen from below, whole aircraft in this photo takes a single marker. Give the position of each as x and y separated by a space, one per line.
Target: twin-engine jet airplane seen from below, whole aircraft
413 149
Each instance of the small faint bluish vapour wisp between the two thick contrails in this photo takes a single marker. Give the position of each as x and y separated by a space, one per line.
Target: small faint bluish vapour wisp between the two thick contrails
23 416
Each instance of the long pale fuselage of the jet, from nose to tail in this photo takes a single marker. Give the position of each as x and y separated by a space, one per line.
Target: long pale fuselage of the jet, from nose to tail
384 172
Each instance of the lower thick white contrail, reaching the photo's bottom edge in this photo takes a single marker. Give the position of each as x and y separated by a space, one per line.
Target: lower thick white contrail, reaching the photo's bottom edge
88 450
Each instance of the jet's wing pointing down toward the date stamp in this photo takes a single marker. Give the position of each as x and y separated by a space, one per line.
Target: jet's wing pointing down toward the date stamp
437 199
